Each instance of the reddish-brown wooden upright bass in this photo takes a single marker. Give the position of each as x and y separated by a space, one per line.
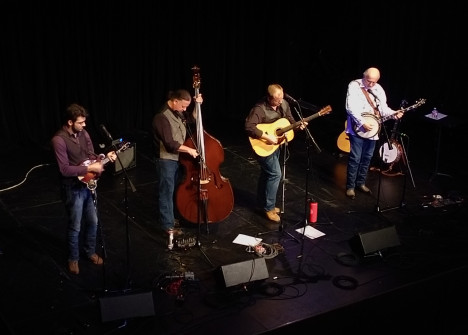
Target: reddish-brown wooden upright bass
205 196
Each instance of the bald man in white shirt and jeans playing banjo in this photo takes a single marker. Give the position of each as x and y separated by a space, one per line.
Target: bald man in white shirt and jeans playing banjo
366 105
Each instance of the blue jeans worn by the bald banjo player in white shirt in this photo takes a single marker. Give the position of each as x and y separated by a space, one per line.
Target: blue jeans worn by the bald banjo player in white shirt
359 160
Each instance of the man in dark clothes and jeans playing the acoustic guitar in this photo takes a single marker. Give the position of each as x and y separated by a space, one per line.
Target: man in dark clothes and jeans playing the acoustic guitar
269 109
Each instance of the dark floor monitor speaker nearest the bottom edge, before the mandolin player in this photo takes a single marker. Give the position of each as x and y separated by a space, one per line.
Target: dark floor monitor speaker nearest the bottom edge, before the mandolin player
126 306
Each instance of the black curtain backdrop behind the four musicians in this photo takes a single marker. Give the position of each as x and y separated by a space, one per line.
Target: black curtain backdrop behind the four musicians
119 59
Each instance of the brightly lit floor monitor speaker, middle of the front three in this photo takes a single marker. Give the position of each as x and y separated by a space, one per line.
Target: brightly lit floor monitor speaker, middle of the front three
243 272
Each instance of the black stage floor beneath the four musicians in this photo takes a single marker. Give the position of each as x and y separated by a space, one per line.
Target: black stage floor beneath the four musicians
411 275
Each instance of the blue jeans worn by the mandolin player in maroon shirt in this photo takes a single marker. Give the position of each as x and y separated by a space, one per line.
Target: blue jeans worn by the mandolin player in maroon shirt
80 207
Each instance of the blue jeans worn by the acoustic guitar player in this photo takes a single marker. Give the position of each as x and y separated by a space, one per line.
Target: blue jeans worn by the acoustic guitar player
268 181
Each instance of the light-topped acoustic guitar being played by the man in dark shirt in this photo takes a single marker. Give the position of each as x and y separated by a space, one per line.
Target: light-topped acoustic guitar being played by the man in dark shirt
282 129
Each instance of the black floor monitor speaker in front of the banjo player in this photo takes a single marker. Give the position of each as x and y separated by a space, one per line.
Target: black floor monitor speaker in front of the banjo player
370 242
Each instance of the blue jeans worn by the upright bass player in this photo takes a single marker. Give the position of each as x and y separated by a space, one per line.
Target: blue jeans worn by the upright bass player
168 177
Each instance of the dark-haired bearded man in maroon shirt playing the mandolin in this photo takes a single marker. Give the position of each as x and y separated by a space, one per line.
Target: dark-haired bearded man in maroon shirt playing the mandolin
72 146
